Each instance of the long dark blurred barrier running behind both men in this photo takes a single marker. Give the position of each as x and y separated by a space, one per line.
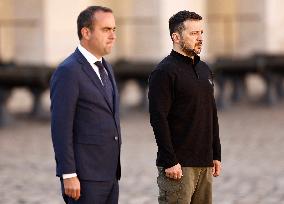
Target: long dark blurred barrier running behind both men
227 71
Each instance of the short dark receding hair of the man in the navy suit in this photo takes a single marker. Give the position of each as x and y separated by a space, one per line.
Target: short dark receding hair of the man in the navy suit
85 18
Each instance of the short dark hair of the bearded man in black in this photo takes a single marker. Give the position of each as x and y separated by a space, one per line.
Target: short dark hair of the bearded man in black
176 22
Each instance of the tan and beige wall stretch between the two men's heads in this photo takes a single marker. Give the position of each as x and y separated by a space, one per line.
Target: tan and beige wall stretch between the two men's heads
137 29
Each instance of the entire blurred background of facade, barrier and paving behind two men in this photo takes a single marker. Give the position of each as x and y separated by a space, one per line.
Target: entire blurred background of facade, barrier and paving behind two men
243 44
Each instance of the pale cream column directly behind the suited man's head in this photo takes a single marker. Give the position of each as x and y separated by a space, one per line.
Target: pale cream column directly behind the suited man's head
60 28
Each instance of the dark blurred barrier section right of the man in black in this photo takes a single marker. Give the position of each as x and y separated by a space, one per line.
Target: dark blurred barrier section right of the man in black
234 71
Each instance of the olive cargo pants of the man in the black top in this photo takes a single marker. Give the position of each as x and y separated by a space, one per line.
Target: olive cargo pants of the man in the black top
195 187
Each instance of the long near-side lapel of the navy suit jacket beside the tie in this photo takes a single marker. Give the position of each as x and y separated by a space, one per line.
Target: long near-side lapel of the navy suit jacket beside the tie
87 68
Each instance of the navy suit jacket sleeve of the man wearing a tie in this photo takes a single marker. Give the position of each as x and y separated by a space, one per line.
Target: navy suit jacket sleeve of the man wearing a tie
64 95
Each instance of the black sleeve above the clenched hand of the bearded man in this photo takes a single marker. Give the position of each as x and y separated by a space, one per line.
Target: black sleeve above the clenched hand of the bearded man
160 100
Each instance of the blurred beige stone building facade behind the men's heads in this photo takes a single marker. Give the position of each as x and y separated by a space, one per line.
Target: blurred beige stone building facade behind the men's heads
44 31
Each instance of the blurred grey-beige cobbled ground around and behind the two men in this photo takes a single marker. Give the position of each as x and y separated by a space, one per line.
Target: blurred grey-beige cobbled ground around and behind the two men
253 165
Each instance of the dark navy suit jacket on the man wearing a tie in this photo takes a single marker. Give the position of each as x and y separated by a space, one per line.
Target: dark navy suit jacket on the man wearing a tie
85 127
